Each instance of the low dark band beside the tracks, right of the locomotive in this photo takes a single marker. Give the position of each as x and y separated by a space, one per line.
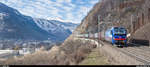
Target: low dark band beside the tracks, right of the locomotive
138 43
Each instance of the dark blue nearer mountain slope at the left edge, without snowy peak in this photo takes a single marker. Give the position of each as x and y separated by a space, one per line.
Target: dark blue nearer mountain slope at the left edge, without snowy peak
14 25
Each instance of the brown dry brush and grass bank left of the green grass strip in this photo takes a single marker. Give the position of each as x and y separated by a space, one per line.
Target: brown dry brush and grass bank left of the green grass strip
71 53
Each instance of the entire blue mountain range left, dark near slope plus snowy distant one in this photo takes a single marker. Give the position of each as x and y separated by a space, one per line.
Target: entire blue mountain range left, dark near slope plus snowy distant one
15 26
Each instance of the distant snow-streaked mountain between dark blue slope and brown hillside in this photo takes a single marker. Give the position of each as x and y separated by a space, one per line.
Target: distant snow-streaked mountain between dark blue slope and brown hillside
55 27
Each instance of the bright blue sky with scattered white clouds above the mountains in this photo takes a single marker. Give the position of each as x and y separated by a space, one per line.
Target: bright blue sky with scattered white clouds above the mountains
62 10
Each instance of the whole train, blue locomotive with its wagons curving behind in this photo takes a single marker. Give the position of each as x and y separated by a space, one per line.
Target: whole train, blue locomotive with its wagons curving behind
114 35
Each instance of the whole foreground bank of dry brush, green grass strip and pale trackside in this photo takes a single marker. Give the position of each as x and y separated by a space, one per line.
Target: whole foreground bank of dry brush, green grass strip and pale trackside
79 51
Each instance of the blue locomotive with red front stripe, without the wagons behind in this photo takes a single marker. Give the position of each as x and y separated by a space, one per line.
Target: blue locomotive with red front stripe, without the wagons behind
117 36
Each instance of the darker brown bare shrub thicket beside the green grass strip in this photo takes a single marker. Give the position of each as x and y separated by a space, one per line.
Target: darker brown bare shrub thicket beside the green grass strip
76 50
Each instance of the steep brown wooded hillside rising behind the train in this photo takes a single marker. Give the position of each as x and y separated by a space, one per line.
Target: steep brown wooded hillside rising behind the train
131 14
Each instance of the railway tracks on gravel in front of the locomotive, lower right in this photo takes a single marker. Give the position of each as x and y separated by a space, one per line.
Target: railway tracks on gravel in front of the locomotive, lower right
140 54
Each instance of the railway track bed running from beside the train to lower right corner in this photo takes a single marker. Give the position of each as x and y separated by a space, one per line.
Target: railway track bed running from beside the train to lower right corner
140 53
